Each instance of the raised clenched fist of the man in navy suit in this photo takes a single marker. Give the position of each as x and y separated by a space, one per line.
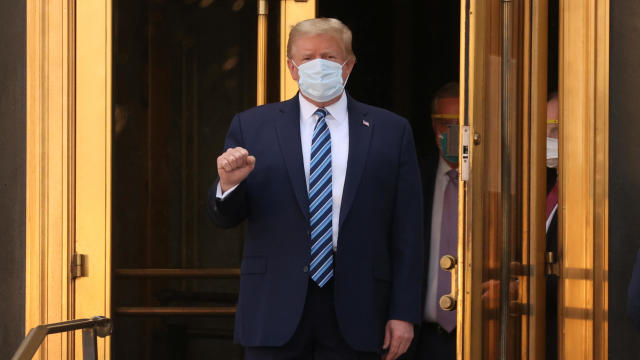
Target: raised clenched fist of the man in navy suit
234 166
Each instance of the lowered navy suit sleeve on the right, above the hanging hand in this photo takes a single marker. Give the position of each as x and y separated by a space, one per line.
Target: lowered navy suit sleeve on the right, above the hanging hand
407 241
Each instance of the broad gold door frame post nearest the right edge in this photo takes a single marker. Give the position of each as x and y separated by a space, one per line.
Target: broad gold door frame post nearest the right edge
583 214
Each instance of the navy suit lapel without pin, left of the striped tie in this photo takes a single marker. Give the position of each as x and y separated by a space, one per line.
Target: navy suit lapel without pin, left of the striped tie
288 130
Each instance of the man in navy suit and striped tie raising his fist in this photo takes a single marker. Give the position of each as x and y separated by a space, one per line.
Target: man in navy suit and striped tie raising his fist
330 189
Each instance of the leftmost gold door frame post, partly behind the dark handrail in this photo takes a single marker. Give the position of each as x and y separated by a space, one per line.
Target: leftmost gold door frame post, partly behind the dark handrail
47 285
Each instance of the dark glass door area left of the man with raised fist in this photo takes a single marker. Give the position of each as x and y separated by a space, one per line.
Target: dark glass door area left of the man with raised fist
182 69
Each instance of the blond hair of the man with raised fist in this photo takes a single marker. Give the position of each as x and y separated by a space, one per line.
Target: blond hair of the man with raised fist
328 26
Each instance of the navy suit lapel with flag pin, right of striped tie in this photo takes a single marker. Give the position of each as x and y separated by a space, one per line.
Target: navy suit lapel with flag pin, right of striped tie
360 129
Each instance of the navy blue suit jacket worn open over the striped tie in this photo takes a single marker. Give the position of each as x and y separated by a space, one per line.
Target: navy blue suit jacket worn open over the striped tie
378 264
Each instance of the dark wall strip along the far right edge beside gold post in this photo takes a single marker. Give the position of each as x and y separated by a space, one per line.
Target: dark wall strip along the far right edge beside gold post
624 173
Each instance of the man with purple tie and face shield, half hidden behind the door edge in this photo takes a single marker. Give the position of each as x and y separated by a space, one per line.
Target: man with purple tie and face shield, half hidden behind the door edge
437 335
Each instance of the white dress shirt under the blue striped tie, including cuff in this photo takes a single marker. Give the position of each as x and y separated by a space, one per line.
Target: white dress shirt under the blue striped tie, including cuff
337 120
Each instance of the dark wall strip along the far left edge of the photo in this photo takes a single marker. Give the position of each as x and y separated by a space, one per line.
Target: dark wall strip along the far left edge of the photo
13 123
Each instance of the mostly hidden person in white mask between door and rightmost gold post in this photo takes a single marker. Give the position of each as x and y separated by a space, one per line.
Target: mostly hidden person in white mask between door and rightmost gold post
552 225
